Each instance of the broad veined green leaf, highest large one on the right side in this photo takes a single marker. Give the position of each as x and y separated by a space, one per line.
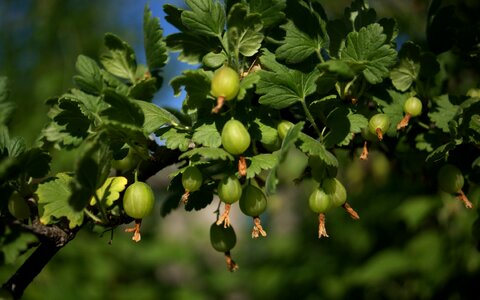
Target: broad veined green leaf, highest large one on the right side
367 52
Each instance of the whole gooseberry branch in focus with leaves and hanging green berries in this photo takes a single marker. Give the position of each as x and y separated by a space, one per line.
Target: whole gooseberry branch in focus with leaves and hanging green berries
270 76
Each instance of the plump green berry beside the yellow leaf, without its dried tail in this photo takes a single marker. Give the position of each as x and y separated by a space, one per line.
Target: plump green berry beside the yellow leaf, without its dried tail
138 200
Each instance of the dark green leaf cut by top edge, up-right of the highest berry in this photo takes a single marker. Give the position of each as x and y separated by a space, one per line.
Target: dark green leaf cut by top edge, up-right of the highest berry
271 11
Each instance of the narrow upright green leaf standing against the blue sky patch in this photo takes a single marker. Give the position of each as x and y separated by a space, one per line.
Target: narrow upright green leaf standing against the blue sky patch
155 47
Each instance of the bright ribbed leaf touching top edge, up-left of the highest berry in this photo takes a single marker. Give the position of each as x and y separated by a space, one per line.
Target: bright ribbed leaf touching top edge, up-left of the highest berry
206 17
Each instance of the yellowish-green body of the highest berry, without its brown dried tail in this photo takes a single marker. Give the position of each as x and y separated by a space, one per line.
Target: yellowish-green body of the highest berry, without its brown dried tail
225 83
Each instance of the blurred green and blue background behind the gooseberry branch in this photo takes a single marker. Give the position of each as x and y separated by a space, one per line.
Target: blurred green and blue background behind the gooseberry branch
412 242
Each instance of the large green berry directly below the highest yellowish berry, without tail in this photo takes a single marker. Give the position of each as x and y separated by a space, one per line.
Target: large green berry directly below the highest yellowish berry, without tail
235 137
